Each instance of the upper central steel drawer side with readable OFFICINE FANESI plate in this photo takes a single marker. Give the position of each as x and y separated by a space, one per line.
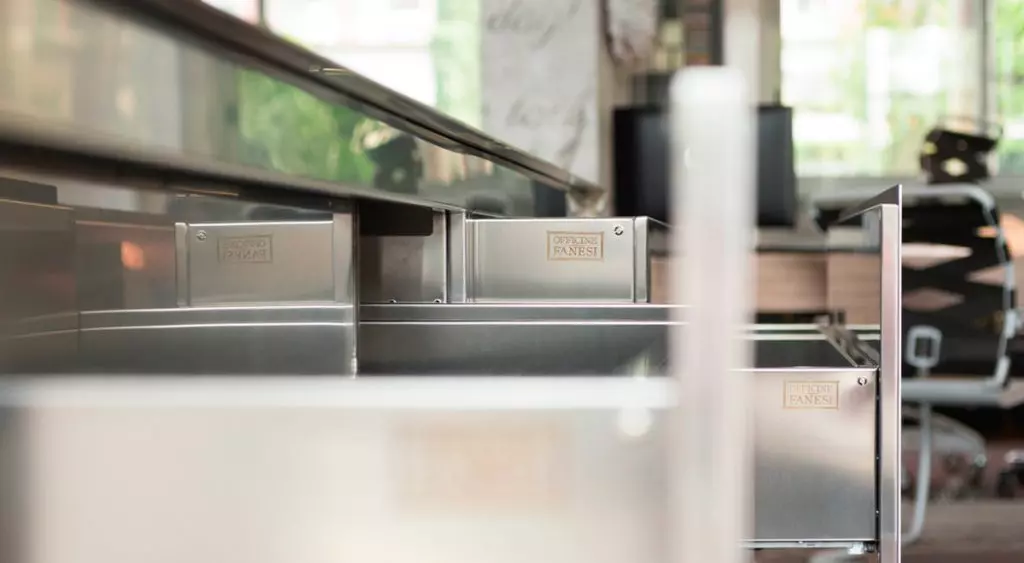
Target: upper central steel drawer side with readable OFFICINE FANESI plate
553 261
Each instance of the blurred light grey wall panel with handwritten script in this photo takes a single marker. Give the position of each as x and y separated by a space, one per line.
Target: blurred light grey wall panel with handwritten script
540 82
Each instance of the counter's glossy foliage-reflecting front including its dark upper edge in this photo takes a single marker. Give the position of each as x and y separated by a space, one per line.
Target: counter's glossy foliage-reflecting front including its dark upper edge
188 90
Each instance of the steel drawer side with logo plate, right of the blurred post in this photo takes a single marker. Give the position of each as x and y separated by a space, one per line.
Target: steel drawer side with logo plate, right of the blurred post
815 465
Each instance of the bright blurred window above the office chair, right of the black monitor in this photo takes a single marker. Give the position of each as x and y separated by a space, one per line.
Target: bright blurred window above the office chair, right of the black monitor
868 79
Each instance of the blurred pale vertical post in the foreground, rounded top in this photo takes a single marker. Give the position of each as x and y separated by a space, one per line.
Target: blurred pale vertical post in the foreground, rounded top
713 180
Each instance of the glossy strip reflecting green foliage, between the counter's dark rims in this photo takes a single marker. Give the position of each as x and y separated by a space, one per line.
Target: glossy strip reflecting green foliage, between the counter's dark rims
96 74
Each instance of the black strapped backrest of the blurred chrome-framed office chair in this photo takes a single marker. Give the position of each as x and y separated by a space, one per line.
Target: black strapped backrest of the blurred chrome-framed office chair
958 277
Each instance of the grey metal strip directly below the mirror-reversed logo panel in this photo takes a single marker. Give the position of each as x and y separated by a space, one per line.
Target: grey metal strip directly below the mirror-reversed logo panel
302 340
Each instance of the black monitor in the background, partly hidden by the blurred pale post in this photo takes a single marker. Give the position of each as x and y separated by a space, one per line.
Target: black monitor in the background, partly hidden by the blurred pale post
643 171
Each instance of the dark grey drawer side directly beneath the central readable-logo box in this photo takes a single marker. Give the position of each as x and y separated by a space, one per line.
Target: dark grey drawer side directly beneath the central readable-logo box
549 340
